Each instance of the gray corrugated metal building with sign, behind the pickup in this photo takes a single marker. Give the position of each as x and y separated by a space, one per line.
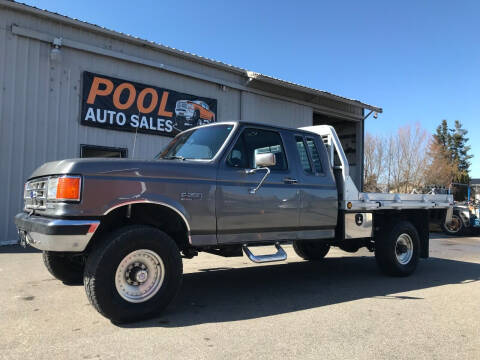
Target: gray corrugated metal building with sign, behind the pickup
60 78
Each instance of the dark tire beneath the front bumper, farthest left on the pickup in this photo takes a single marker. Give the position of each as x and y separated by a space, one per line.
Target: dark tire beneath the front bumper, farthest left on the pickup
64 267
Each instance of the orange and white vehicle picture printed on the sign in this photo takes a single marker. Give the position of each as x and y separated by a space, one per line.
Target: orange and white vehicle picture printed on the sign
192 113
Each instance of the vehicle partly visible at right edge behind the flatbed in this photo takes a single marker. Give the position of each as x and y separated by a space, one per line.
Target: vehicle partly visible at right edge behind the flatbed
465 219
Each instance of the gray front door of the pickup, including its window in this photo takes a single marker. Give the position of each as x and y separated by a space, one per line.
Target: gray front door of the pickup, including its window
272 213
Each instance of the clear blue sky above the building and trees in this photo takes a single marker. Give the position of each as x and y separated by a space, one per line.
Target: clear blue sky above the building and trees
419 60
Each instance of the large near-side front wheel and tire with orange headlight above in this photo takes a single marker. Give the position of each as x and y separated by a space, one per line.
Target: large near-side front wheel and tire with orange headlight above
133 274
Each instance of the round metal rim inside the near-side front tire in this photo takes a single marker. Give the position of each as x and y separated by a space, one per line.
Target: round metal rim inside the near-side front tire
139 276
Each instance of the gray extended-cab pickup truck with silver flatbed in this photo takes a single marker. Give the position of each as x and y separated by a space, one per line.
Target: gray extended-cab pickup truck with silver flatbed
123 226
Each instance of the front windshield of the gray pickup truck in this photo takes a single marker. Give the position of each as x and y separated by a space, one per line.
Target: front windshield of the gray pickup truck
199 144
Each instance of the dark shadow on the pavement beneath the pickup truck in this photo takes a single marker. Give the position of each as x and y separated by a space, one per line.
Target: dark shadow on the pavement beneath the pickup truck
260 291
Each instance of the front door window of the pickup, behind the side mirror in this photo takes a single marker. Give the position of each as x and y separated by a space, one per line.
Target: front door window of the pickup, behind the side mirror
257 141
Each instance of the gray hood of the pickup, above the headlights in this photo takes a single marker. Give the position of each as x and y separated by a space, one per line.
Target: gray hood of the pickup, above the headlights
121 167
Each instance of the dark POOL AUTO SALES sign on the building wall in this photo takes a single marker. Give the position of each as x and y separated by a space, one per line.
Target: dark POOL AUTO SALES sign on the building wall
118 104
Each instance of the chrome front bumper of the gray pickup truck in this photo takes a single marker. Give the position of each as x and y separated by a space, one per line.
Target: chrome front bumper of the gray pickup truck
49 234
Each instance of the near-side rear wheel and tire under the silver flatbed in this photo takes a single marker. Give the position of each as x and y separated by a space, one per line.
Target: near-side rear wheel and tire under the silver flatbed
397 252
